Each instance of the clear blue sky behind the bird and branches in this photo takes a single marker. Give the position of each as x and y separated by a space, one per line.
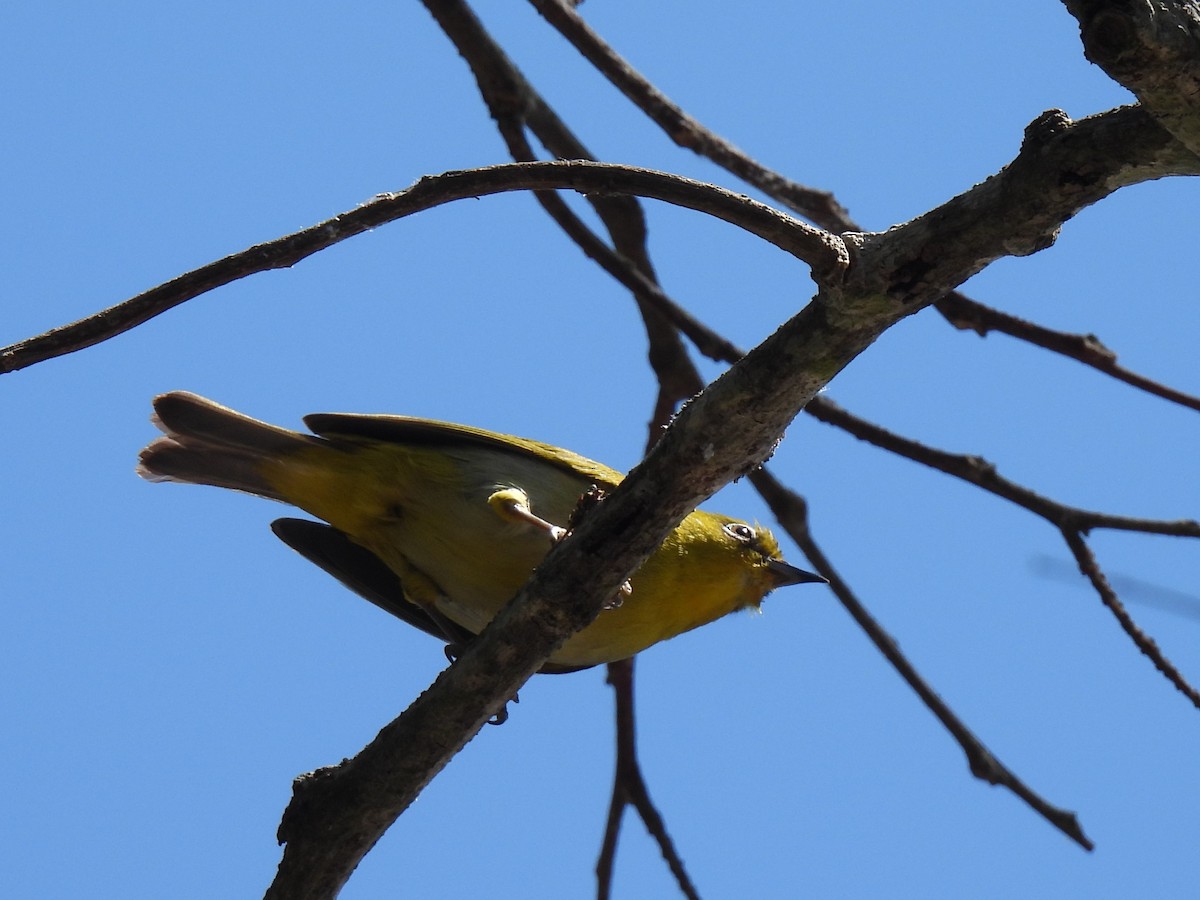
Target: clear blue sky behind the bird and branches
167 668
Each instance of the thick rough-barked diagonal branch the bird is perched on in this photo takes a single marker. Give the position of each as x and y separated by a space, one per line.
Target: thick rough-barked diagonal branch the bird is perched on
730 429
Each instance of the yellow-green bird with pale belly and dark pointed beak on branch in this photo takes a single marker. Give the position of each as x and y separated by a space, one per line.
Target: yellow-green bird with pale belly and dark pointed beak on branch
441 525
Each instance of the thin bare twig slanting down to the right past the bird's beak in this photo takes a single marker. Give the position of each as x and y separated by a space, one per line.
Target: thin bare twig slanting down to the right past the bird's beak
791 511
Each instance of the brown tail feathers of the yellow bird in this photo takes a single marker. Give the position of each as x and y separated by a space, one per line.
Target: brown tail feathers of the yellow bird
206 443
